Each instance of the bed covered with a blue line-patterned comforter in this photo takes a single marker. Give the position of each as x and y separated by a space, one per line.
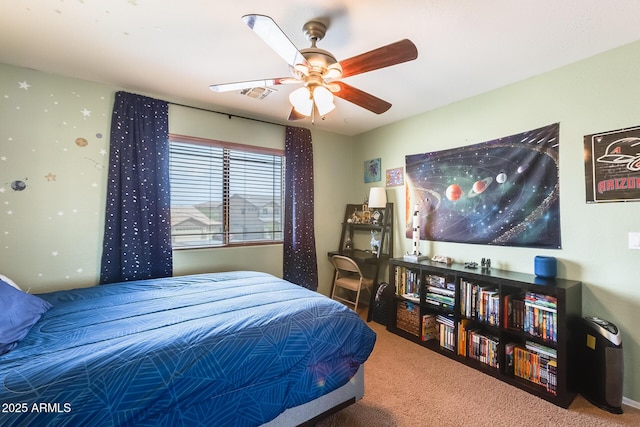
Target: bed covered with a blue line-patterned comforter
234 348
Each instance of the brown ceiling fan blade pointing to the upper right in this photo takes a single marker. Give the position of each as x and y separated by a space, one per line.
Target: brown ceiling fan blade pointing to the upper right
385 56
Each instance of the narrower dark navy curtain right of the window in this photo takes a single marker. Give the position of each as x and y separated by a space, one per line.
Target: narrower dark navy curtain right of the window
300 263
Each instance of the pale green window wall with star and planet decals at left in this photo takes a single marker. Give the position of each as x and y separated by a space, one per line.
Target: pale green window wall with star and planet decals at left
54 138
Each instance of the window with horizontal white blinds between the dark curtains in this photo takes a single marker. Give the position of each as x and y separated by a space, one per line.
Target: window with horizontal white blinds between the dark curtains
224 194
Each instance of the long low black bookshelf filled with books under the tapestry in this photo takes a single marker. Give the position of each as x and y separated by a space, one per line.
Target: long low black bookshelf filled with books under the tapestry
520 326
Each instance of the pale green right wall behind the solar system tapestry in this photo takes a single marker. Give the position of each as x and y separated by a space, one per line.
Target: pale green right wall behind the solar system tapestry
594 95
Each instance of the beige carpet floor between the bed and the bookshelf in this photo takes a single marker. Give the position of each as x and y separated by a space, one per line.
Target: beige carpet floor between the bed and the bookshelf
408 385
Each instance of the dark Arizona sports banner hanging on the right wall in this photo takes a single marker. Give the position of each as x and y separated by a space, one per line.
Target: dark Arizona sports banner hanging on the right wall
612 166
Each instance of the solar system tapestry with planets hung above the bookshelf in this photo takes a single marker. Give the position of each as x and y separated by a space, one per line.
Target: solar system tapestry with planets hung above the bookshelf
503 192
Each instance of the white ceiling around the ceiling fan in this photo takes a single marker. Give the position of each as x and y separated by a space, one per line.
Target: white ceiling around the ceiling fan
175 49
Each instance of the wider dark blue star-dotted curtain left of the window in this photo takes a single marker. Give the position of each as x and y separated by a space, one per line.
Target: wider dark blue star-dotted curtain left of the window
137 234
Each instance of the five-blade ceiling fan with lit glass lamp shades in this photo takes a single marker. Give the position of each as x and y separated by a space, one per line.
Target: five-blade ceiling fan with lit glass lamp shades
318 70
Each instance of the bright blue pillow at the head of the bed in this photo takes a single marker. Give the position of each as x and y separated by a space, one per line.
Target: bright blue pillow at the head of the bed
19 311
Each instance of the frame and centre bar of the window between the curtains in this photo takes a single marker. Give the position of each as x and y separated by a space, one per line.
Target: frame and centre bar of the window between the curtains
173 137
